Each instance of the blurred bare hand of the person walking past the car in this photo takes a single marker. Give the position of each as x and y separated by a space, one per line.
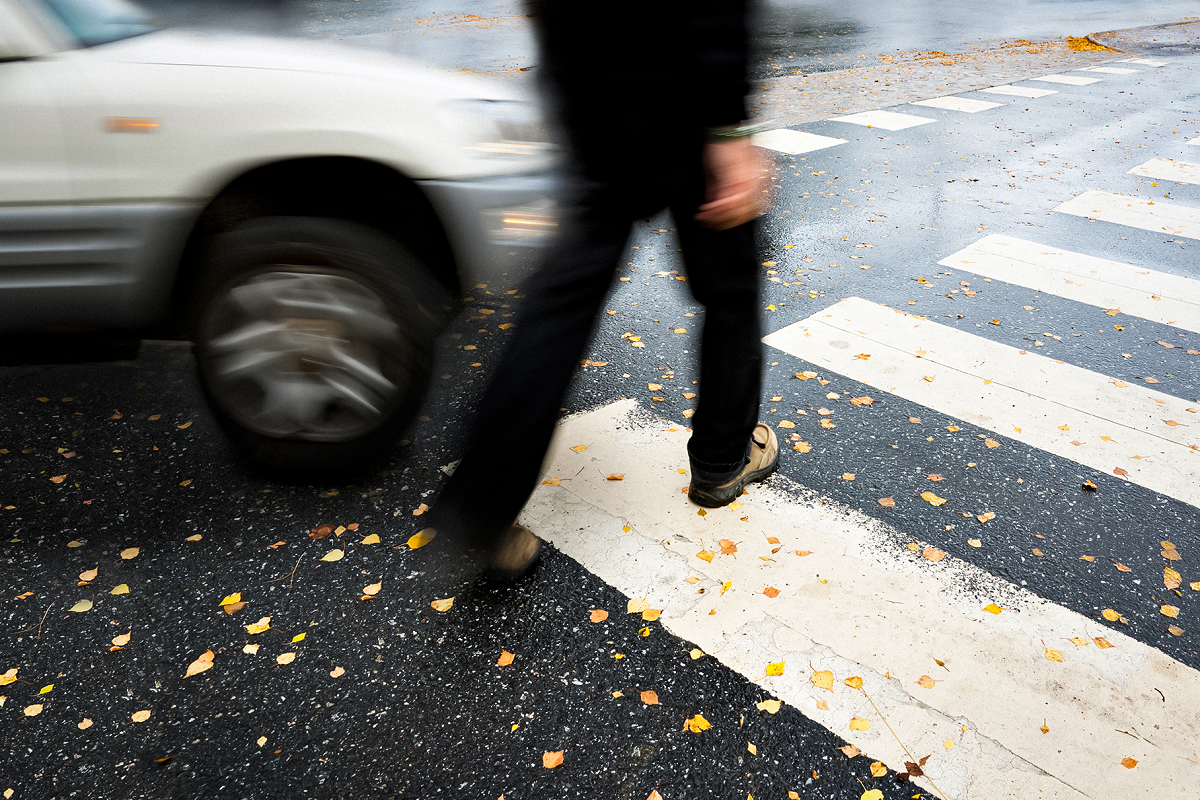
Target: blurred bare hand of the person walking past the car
735 185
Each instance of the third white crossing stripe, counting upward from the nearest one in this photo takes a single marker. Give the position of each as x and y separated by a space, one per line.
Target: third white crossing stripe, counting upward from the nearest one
1159 297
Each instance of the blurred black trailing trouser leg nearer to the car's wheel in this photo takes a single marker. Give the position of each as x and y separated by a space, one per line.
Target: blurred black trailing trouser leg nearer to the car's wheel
520 408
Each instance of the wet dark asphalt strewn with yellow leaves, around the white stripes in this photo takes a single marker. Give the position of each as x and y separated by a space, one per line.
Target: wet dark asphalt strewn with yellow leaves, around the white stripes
419 706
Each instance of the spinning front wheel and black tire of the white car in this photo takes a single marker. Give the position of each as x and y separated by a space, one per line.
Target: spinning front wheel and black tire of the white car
314 342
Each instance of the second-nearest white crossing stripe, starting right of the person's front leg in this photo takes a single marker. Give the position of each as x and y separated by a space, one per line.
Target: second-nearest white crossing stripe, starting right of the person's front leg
1031 399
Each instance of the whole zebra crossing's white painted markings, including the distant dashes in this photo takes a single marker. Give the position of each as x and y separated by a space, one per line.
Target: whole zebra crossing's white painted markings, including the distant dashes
885 640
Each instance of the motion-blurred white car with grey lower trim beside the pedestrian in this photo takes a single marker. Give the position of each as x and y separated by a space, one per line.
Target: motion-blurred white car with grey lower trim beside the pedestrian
304 213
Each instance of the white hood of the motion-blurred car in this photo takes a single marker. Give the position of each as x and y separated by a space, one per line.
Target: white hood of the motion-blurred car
233 51
